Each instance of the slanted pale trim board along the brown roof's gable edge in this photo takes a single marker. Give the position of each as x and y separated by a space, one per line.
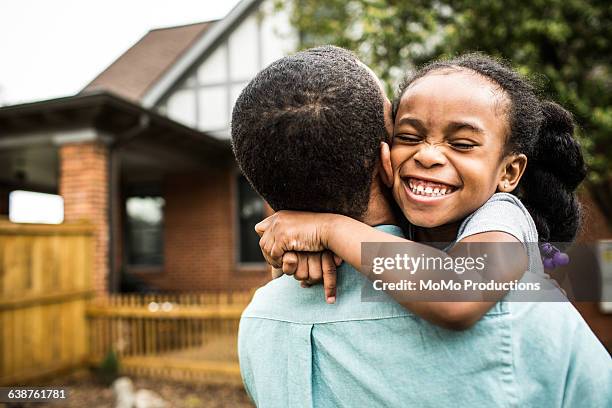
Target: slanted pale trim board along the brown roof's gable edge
161 87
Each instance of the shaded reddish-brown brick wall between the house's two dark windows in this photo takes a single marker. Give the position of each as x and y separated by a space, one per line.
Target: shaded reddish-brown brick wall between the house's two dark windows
199 236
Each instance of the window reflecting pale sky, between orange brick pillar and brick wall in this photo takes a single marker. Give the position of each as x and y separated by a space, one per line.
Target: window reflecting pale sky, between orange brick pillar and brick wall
144 230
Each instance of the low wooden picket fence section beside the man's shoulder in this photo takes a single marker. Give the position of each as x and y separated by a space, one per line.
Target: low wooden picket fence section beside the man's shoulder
184 337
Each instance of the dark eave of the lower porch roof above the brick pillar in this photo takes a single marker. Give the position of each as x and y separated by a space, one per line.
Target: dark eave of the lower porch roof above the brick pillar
115 116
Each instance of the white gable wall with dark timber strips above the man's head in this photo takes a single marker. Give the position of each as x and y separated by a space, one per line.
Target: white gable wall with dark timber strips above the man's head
204 96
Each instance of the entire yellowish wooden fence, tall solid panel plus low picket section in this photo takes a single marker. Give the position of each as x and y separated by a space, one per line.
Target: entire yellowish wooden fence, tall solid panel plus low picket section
50 322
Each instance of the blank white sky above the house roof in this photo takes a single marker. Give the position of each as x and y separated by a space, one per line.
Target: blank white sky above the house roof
53 48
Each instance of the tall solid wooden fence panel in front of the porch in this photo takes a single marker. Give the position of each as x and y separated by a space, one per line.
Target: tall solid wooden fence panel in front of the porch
45 280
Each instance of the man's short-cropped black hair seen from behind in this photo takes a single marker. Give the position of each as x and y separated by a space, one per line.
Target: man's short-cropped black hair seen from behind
306 132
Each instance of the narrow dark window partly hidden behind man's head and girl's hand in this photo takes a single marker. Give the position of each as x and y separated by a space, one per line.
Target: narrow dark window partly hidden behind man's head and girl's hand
250 212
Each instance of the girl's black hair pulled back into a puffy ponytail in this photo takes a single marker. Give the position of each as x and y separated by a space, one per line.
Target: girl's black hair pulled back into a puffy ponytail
538 128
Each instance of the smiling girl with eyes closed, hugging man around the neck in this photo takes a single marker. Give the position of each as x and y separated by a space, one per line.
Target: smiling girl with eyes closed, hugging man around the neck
476 157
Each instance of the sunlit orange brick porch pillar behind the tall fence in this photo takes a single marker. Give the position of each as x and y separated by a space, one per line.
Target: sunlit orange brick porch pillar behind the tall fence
83 184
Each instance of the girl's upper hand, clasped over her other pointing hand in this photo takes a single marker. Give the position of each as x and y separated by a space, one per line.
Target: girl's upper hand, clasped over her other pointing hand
286 231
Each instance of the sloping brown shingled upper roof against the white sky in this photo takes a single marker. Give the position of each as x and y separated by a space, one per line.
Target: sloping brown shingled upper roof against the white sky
141 66
